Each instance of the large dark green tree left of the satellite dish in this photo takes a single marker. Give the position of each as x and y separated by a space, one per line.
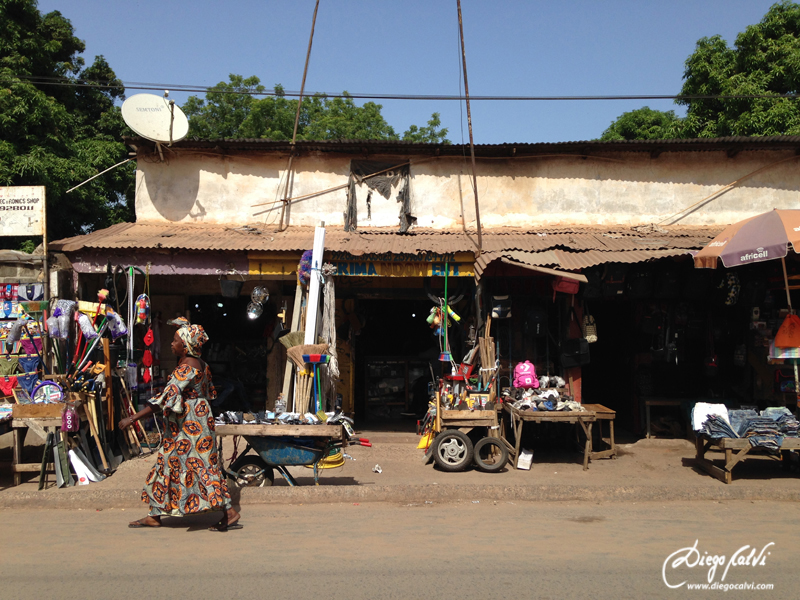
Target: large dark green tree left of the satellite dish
60 135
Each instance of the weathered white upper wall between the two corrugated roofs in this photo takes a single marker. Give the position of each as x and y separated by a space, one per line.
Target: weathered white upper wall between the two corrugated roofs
619 188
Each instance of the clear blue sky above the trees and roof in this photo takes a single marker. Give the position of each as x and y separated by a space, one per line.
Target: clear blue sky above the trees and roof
514 48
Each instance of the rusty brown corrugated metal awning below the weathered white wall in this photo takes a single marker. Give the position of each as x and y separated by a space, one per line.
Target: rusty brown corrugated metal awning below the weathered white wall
560 247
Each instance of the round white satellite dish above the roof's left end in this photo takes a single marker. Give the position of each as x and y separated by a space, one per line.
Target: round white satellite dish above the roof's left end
155 118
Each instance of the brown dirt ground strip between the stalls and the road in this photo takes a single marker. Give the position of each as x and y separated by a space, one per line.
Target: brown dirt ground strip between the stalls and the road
660 462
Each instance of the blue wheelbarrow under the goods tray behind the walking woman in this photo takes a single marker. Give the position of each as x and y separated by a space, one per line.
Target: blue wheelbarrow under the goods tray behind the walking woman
277 453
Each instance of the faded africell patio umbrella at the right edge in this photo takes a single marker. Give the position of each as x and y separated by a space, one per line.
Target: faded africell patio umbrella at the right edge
764 237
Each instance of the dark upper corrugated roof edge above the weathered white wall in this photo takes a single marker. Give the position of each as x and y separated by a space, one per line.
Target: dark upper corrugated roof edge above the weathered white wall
509 149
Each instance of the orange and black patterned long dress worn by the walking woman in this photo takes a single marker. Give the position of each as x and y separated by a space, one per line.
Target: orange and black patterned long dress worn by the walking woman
186 478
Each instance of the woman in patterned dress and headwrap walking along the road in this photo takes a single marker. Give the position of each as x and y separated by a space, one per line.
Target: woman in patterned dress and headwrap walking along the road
186 478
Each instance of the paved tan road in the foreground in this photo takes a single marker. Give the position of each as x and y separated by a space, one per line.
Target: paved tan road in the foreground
377 551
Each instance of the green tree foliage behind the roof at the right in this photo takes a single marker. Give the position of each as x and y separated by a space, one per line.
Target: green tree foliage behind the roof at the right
764 60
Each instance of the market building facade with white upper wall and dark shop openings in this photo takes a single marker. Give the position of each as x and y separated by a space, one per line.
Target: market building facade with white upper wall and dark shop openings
622 219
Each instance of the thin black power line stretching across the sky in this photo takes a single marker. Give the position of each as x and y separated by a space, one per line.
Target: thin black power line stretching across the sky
63 82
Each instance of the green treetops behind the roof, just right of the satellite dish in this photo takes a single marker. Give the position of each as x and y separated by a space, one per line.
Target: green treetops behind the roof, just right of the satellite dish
231 110
